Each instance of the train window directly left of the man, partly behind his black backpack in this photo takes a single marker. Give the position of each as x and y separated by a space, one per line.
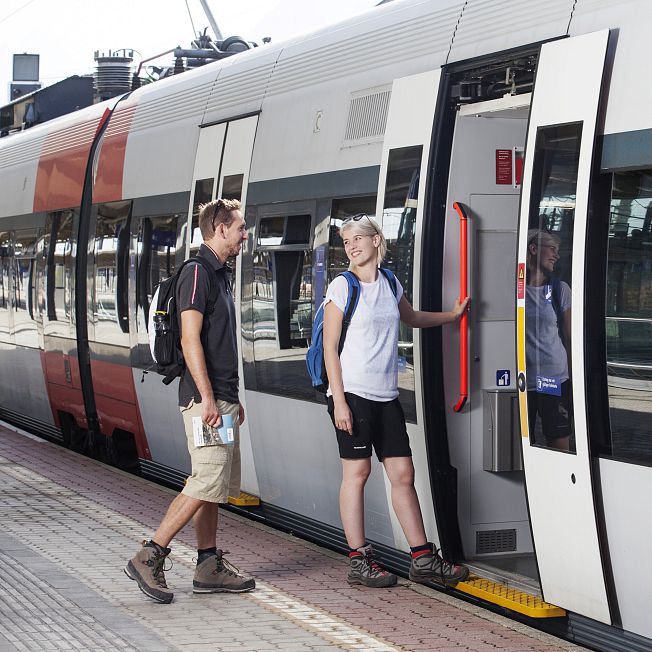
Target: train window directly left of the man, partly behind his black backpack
157 259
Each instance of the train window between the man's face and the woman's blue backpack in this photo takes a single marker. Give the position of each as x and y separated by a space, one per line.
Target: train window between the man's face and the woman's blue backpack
282 305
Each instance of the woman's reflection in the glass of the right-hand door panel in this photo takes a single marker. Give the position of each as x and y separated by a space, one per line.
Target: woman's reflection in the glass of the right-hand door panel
547 341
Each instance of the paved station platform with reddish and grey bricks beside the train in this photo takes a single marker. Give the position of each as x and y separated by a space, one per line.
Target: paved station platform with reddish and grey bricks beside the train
68 525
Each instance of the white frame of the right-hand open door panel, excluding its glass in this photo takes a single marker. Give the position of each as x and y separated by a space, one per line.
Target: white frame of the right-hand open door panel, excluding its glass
555 477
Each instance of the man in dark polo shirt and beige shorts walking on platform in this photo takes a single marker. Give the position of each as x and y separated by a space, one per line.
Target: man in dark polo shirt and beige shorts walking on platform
208 390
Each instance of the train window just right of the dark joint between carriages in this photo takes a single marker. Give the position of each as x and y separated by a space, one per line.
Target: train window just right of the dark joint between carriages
111 272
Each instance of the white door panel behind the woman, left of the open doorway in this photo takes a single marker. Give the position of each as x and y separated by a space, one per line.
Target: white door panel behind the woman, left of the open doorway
400 209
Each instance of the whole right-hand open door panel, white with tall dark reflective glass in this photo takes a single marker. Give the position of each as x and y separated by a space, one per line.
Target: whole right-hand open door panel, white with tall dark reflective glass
555 199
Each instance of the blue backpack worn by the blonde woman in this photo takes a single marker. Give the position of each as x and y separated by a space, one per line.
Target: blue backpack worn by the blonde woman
315 356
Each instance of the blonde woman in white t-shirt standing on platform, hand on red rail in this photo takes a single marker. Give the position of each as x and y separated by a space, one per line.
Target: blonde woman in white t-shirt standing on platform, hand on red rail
364 407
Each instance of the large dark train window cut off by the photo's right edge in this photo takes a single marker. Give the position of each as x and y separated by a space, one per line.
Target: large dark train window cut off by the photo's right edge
629 317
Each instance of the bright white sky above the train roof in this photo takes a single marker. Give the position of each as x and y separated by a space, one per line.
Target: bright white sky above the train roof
66 33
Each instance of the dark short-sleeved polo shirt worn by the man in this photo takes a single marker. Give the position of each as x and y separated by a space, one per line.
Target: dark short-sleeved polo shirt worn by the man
218 333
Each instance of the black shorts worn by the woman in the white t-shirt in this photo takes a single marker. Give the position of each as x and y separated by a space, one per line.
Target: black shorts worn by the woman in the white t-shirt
380 424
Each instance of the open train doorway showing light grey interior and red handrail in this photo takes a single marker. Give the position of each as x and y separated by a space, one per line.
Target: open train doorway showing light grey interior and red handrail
483 437
